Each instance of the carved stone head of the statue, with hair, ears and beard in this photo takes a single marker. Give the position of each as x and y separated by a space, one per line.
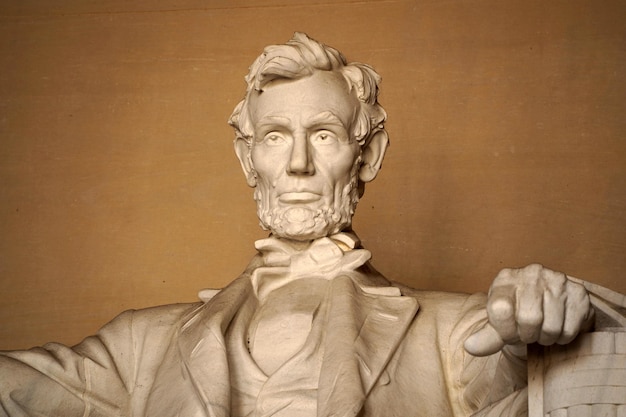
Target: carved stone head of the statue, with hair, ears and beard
309 135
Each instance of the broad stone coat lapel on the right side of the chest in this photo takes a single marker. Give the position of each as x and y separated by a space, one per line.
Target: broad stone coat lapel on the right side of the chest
364 329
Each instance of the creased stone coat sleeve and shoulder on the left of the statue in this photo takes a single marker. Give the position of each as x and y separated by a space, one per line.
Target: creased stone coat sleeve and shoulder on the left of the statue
100 377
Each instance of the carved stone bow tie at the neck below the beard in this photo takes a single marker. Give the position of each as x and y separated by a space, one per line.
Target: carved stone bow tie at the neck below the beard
324 258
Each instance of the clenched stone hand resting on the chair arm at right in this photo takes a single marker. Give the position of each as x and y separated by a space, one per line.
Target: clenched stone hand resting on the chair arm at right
531 304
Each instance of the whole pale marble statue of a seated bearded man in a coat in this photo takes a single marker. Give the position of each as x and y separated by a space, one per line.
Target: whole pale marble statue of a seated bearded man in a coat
310 328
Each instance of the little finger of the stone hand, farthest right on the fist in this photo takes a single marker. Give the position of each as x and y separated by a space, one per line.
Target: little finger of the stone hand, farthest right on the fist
578 312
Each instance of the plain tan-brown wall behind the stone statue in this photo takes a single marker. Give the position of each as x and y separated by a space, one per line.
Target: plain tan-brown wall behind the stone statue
119 187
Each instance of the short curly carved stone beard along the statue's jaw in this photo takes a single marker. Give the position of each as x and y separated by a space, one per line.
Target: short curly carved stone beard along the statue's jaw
303 223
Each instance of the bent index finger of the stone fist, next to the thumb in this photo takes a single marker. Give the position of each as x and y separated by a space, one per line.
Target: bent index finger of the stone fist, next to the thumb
501 312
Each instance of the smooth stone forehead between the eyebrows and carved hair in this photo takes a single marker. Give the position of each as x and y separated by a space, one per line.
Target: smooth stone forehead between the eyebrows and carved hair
325 95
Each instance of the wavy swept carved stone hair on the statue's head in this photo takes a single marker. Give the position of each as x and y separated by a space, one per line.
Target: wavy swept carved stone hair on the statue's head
299 58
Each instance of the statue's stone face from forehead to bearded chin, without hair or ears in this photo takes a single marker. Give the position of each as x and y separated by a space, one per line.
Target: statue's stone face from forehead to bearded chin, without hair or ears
305 160
